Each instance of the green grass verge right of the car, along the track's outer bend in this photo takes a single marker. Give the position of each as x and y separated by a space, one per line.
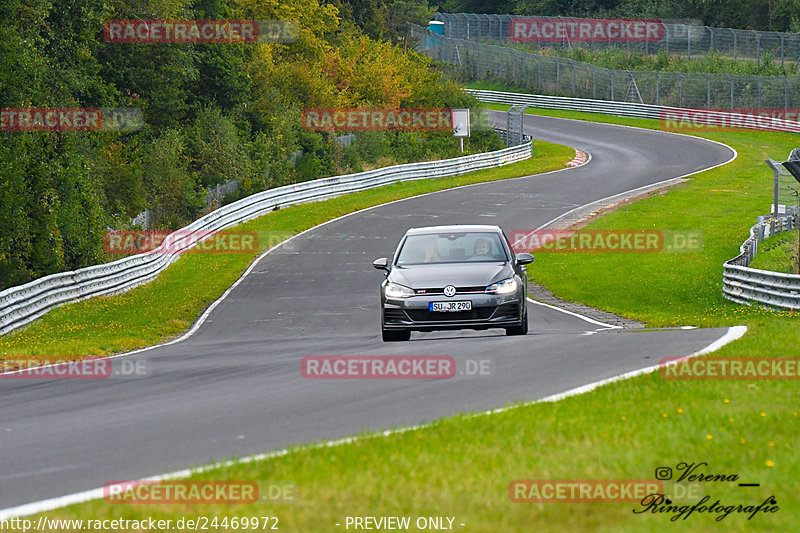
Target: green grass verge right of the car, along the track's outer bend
682 288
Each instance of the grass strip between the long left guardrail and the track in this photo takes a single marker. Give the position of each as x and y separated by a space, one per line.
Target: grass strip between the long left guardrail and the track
166 307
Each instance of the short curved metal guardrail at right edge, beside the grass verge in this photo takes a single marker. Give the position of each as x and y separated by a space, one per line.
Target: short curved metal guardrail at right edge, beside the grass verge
745 285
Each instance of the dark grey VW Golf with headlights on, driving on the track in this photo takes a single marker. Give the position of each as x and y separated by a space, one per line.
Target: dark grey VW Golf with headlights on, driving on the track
453 277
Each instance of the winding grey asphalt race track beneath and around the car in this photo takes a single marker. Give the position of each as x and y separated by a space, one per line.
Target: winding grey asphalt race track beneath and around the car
234 388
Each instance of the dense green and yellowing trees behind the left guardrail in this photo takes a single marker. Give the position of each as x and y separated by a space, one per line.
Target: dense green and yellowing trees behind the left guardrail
213 113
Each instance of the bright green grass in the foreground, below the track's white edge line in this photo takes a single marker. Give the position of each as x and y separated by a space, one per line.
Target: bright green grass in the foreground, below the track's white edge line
463 466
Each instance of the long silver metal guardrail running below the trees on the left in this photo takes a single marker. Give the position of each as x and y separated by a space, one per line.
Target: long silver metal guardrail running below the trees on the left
22 304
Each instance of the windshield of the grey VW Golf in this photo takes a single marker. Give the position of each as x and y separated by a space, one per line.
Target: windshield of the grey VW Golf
451 248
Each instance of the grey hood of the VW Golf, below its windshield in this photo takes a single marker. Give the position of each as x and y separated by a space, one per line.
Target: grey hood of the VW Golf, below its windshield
456 274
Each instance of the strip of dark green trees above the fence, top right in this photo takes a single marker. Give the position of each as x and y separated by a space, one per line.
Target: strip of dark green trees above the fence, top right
775 15
